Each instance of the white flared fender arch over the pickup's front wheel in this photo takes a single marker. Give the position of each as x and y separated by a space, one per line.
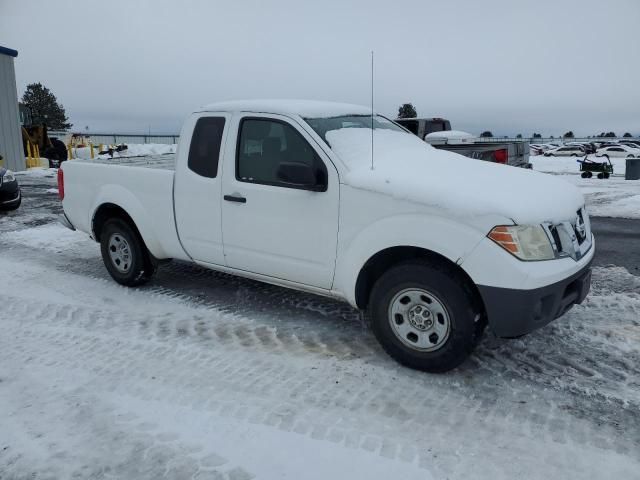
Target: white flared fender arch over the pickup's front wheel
451 239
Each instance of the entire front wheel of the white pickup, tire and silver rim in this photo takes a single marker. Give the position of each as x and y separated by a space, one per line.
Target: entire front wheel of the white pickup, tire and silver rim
424 316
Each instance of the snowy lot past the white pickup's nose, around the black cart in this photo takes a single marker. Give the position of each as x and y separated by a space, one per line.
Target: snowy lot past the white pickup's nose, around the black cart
613 197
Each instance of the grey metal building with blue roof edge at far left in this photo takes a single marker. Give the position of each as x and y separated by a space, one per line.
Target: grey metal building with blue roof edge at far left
10 134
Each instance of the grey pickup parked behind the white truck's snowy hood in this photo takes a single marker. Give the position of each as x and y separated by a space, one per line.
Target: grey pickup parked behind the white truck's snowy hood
437 132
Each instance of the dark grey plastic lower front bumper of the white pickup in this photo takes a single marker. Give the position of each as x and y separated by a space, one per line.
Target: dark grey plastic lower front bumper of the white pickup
516 312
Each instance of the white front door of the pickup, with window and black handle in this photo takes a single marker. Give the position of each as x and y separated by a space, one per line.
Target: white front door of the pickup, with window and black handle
274 227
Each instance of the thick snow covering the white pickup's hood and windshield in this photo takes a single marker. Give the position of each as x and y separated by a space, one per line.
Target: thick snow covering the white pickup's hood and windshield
407 168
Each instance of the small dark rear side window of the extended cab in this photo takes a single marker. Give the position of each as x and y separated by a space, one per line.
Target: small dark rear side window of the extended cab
204 151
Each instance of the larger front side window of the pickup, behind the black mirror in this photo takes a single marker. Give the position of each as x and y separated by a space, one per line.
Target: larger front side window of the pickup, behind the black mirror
265 145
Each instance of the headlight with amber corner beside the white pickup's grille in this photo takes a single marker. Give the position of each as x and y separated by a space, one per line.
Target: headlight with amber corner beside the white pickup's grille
526 242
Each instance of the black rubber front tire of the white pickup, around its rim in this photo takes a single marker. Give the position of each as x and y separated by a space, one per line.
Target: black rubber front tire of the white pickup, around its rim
465 320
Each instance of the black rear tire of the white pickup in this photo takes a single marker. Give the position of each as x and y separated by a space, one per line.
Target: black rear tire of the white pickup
140 267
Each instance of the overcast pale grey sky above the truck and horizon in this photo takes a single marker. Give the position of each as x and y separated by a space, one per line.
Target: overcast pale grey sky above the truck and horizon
504 65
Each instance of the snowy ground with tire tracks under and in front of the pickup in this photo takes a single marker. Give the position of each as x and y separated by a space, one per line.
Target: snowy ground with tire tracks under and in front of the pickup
202 375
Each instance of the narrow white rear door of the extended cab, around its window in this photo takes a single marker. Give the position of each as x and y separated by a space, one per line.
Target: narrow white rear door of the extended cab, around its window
197 187
